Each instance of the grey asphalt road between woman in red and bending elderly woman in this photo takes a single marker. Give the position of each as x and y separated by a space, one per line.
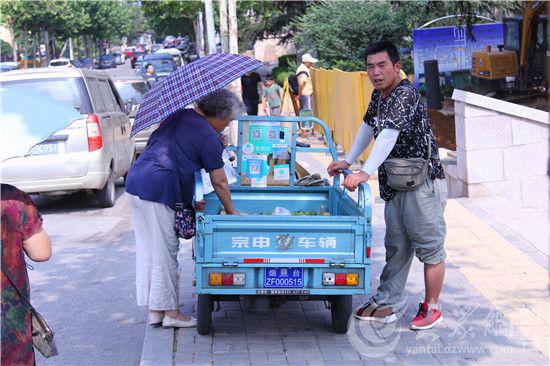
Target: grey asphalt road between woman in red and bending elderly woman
86 291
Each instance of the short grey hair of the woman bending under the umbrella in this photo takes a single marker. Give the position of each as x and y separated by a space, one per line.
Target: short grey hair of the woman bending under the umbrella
221 104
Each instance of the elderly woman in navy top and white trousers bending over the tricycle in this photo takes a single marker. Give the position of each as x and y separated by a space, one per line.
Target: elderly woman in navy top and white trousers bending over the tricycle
187 142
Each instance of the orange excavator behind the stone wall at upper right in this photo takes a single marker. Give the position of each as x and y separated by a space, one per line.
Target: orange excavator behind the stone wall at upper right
520 62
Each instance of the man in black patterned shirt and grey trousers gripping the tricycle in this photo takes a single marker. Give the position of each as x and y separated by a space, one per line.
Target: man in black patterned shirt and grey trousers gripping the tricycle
397 119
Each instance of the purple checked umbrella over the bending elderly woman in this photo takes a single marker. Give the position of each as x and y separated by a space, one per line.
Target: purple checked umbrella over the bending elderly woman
188 84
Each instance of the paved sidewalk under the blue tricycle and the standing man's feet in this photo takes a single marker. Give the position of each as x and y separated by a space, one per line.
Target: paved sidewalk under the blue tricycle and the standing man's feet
494 301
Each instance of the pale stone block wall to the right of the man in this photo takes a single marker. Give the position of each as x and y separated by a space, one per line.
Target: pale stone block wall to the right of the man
502 149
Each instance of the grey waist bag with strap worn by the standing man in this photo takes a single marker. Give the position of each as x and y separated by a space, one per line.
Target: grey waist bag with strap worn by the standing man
405 174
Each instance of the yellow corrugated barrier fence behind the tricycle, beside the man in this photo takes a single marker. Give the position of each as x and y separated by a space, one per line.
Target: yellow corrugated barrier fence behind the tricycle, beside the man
340 99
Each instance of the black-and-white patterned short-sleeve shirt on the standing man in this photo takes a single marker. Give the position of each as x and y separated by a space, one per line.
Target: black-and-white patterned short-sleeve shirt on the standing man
405 111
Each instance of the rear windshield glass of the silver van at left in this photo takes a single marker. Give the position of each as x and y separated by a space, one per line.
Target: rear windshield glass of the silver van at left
71 90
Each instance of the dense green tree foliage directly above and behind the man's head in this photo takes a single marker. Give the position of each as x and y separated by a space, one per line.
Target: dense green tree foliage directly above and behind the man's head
340 31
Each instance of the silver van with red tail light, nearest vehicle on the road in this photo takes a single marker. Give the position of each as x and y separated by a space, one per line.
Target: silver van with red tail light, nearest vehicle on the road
87 155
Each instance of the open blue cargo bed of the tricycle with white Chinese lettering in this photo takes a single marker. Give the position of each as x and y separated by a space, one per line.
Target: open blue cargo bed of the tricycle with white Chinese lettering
260 237
